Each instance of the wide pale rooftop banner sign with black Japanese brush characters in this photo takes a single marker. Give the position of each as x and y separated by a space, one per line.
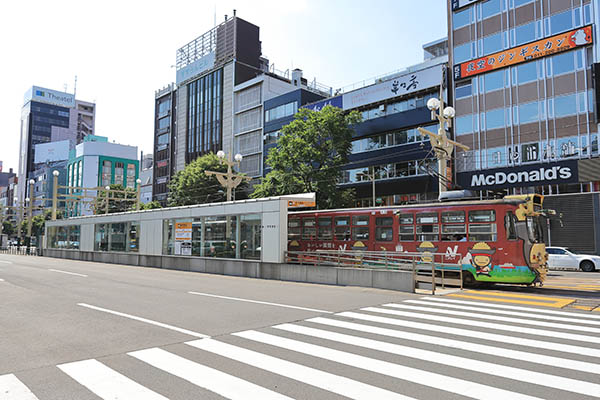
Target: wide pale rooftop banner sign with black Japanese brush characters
399 86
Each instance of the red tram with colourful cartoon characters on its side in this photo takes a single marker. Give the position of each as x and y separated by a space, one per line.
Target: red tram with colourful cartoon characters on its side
494 240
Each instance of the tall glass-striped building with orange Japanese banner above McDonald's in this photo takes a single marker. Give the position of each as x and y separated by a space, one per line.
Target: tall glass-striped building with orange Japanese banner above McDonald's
523 89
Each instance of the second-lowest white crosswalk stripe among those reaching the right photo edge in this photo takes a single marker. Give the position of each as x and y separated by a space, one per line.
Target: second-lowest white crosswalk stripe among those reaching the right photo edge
469 346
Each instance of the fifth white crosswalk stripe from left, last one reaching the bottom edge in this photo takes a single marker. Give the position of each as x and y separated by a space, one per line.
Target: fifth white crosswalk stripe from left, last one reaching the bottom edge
430 379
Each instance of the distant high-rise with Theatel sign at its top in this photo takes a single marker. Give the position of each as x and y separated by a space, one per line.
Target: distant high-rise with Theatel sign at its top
49 116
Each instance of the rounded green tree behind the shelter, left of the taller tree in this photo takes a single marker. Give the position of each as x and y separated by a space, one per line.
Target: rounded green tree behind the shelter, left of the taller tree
192 186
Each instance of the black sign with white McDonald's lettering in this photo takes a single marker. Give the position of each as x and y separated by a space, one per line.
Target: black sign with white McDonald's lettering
521 176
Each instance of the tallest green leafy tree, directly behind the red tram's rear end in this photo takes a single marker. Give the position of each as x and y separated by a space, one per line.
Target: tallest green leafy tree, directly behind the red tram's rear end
309 155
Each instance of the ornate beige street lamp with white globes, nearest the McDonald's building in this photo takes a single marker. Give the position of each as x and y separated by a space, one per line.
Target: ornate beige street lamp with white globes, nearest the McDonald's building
442 146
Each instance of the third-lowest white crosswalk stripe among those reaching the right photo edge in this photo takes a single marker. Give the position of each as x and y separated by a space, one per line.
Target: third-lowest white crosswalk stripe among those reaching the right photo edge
562 348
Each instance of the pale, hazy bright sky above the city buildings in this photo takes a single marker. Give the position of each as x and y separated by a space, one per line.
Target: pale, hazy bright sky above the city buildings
123 51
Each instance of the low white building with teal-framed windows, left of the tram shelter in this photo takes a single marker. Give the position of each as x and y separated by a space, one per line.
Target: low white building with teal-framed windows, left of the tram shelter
98 163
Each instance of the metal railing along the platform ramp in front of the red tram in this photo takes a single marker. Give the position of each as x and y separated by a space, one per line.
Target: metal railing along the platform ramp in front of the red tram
428 268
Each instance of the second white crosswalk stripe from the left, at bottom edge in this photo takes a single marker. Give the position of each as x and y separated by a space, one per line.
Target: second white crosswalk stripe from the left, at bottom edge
107 383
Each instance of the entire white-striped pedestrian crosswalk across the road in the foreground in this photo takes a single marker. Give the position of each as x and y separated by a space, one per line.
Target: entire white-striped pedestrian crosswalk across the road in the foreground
430 347
